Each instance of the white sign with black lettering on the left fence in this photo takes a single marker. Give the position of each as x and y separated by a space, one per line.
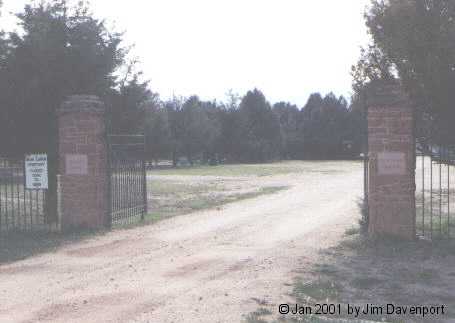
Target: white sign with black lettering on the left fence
36 175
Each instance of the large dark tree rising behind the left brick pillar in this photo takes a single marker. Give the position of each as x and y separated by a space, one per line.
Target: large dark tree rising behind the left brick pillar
59 52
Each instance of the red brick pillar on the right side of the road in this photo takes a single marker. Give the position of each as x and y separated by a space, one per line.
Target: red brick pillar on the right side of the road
391 143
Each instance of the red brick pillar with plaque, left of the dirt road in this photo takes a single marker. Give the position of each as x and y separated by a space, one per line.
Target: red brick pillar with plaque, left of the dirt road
82 163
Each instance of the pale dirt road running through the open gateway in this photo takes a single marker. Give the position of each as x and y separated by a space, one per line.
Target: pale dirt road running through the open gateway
211 266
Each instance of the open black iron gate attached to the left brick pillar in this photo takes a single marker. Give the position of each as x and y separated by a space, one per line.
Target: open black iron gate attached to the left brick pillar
127 179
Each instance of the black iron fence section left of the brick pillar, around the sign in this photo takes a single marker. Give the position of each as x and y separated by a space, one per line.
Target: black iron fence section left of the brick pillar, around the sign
20 209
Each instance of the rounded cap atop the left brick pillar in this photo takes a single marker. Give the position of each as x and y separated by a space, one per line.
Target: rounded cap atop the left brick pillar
82 103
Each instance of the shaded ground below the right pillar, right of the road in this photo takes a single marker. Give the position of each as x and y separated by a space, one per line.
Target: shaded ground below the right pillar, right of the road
377 272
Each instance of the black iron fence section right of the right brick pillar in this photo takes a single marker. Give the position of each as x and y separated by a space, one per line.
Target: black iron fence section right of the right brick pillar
435 185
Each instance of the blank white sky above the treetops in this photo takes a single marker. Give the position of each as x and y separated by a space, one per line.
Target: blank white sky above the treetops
286 48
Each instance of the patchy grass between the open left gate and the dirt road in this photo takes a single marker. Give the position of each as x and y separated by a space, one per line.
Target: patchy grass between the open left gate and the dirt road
185 190
